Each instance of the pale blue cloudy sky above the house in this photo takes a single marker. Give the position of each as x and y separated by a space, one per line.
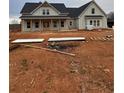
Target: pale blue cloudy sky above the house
15 6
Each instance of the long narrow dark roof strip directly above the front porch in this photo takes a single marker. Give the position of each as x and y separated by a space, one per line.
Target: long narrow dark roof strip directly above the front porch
44 17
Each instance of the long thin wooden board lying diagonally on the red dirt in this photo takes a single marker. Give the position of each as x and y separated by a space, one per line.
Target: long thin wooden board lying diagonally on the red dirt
36 47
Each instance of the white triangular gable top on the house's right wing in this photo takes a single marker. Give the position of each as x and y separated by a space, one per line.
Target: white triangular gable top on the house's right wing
88 10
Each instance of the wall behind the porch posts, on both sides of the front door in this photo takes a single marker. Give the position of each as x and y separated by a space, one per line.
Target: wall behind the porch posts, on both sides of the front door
41 28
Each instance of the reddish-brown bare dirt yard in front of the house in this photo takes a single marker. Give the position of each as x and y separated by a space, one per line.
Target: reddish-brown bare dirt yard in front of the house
41 71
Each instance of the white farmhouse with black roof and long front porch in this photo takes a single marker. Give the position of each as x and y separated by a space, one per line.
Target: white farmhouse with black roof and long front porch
56 16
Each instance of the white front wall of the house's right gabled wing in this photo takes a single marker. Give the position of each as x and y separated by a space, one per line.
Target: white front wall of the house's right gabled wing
82 20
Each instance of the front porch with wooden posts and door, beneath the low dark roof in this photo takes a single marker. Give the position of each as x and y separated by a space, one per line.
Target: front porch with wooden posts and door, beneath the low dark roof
44 24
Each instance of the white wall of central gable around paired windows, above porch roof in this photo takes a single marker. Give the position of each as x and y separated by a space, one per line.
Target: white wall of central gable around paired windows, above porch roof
39 12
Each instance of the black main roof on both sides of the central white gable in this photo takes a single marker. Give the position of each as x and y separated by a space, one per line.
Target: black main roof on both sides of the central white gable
72 12
